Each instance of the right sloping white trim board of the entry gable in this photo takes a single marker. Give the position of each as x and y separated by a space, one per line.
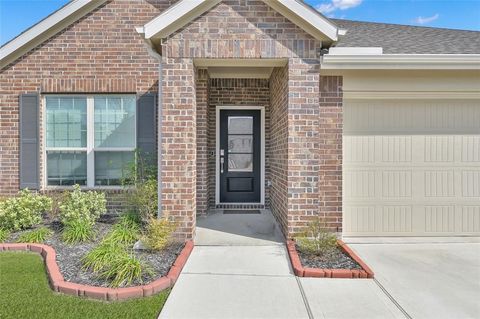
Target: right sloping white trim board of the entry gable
308 15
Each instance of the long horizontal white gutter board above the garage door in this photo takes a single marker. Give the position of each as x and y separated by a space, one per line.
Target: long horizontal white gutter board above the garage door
402 61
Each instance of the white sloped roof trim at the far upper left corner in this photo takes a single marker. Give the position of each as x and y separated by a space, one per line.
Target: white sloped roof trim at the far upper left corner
45 29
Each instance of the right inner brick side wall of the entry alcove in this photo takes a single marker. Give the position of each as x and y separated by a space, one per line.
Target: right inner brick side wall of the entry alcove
279 146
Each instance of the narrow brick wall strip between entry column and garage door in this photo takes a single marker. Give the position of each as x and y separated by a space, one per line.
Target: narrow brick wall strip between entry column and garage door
330 148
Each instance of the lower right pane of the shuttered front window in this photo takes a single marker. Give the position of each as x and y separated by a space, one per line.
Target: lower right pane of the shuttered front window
112 167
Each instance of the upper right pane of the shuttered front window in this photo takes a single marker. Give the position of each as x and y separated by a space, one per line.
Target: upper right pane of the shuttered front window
115 121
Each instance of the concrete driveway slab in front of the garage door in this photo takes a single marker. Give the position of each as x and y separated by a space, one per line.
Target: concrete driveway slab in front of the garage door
428 280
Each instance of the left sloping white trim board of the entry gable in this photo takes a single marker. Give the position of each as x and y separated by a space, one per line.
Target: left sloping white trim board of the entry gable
176 17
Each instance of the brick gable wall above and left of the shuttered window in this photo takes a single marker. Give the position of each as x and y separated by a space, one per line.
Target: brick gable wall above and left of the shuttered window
100 53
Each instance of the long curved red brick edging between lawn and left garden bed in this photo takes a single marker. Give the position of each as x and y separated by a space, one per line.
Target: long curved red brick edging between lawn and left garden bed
103 293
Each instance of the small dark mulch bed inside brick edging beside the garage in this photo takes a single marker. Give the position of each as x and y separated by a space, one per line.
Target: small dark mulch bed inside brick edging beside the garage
334 259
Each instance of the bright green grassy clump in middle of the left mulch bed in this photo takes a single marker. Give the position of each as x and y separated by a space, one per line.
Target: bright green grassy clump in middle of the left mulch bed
103 256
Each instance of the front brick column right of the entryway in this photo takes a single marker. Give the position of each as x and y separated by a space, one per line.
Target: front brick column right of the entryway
303 130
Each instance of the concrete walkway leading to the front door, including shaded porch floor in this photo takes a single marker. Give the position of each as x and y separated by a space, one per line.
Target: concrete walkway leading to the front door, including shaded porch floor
251 277
